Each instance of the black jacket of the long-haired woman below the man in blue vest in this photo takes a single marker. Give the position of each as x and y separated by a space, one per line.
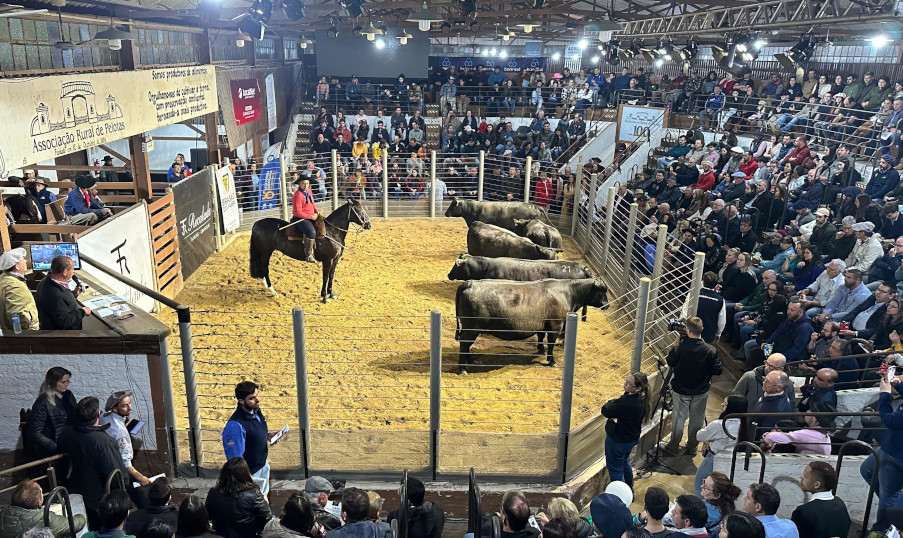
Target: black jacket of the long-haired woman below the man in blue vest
243 516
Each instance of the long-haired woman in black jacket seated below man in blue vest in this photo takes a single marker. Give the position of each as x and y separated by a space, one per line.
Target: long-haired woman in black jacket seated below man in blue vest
236 506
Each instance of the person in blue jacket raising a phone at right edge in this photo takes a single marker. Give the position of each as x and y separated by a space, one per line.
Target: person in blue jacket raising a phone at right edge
888 460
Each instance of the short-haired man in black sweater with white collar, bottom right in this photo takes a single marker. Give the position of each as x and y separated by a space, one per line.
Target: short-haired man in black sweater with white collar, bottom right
825 515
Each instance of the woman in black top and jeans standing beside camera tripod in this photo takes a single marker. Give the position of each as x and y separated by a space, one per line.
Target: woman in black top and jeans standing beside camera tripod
625 416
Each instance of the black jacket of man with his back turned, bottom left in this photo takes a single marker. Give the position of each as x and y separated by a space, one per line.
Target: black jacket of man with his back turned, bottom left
93 455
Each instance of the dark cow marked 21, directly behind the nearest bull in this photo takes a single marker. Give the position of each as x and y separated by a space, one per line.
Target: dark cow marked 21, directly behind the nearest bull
469 267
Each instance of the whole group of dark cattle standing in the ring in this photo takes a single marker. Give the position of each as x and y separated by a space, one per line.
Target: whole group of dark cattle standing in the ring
515 285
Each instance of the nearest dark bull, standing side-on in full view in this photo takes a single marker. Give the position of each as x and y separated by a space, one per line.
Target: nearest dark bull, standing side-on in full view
517 310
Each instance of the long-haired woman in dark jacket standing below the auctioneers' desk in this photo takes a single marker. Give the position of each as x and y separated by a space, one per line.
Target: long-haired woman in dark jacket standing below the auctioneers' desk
54 409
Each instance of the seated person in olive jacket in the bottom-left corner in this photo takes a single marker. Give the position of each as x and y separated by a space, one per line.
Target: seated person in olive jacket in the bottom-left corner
25 512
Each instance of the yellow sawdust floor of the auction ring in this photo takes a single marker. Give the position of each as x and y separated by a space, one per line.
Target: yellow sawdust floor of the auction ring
368 351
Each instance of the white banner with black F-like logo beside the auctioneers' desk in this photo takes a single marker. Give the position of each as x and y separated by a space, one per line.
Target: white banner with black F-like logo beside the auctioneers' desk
123 243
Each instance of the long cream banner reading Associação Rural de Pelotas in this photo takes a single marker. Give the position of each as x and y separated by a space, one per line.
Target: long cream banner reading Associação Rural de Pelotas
46 117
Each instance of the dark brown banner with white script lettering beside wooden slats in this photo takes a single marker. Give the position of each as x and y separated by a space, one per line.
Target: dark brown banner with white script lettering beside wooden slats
194 220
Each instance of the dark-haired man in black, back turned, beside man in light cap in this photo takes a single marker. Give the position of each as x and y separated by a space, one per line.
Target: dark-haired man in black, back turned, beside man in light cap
93 455
